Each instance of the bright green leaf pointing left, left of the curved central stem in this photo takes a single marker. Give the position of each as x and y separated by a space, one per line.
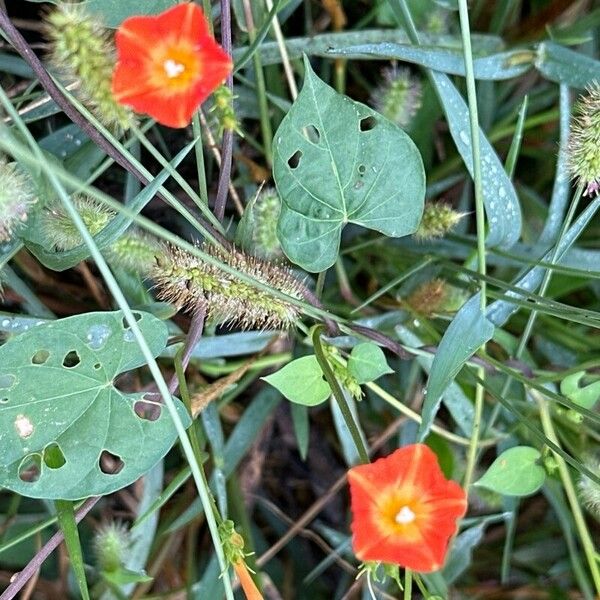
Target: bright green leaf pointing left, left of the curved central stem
301 381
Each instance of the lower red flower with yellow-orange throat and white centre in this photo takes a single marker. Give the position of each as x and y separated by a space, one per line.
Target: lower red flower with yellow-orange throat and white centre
404 509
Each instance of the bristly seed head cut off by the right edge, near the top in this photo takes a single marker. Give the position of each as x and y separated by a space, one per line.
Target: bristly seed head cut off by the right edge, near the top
584 142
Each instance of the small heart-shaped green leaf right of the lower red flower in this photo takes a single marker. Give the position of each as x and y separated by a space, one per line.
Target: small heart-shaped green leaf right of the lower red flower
515 472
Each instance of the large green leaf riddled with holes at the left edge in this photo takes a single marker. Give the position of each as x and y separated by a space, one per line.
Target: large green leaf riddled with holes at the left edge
66 430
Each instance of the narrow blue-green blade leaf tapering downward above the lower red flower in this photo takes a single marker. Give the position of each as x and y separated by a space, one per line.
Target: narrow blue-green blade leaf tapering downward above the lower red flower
469 330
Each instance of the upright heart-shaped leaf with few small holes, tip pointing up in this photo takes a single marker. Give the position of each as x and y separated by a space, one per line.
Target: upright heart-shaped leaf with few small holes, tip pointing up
336 162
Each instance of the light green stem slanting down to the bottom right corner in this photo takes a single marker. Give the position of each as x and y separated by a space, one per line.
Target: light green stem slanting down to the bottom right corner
565 476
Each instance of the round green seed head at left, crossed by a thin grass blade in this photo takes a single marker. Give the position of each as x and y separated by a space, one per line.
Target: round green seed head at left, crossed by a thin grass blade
60 231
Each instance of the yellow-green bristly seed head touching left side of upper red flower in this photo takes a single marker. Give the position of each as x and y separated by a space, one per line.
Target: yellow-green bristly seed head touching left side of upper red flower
83 51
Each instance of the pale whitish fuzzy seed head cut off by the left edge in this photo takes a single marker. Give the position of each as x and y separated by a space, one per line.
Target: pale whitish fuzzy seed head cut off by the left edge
17 196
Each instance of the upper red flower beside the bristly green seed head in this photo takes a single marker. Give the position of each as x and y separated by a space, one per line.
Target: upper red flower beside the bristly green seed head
168 64
